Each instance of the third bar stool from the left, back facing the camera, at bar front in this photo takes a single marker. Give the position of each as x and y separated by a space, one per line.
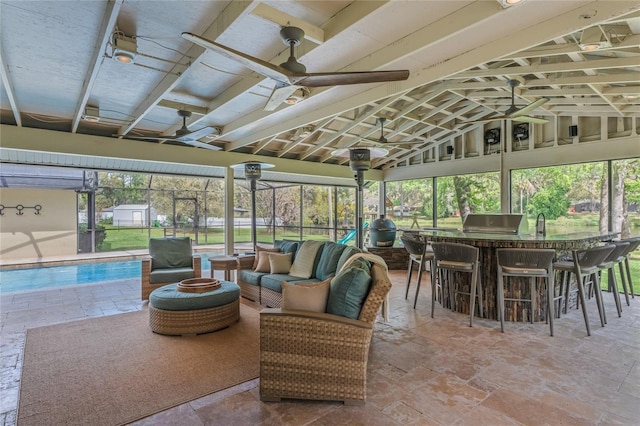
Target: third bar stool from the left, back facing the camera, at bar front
531 264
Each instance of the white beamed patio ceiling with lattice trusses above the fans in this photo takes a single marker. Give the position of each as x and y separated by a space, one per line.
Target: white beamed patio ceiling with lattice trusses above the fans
56 62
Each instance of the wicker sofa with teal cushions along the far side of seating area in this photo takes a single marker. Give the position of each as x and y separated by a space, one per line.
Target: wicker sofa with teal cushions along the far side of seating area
265 288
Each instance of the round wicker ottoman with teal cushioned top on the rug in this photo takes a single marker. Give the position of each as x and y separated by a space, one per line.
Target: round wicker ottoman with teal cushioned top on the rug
177 313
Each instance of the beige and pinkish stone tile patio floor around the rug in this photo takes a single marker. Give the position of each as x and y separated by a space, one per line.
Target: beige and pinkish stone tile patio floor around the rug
422 370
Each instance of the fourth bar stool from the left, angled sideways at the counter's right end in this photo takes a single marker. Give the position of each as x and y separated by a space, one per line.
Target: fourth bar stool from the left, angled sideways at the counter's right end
585 267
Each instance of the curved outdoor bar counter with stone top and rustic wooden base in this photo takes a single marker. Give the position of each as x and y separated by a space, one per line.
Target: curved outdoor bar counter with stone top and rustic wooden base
489 242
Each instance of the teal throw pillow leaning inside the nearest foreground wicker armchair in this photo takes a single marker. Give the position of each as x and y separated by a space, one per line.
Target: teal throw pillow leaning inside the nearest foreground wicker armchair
349 290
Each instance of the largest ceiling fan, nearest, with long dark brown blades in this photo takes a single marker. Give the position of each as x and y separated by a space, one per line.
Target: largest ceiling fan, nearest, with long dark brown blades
292 75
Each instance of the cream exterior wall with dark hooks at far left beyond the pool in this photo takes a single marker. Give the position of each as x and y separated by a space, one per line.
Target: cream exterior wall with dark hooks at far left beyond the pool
28 236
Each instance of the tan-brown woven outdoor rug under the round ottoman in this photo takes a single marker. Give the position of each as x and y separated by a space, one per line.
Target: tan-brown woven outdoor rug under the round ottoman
113 370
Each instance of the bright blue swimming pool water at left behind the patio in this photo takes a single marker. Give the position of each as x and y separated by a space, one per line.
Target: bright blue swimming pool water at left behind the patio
48 277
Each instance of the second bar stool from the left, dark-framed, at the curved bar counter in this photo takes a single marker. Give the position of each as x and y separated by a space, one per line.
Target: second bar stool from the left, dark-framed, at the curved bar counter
455 257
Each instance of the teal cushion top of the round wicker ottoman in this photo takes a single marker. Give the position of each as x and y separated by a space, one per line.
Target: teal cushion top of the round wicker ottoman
169 298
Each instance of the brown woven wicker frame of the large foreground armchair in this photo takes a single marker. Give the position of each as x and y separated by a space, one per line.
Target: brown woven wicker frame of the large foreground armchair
320 356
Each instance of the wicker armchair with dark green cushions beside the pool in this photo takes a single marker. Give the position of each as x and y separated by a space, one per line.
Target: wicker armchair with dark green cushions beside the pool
171 260
